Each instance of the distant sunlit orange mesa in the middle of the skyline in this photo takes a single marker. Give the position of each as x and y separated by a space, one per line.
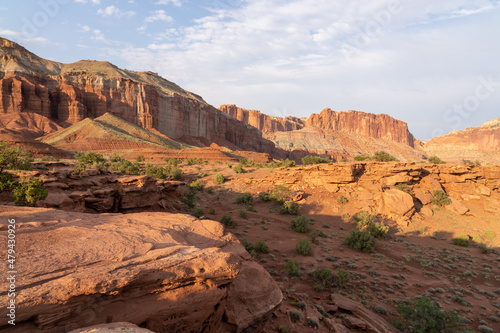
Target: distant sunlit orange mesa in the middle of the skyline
331 133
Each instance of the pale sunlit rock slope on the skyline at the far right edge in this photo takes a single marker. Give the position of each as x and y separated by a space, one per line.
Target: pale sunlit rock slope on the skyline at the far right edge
474 143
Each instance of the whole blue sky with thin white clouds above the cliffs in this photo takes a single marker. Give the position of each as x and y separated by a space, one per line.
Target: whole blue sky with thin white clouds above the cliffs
433 64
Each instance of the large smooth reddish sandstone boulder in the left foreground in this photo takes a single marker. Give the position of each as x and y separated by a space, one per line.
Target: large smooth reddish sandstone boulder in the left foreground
162 272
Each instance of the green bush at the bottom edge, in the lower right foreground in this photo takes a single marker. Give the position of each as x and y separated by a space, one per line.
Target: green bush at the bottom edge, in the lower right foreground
425 316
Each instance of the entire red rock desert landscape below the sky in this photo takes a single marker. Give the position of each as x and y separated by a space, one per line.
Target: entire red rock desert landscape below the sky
136 206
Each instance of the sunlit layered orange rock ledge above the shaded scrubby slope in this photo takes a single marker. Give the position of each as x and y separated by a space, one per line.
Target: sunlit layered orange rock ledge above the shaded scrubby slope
396 190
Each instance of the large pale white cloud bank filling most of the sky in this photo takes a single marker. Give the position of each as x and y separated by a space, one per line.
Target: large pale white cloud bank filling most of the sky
411 61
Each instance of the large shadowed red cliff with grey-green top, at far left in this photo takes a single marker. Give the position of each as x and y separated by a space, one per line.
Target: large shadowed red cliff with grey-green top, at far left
73 92
